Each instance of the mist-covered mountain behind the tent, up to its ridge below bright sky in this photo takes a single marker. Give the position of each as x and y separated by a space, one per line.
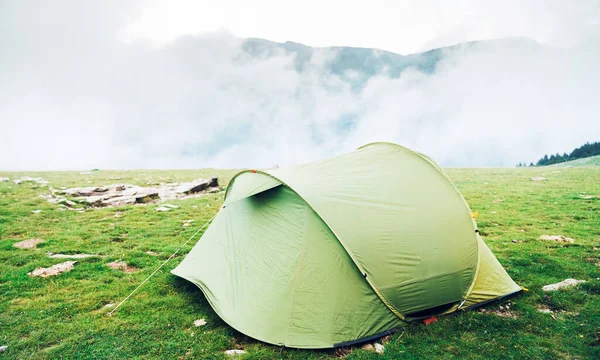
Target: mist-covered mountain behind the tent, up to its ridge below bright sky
92 100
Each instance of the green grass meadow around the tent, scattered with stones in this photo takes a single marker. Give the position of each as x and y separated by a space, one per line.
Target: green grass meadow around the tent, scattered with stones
63 316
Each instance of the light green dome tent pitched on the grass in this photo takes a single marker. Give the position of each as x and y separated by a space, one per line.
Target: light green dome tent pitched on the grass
342 250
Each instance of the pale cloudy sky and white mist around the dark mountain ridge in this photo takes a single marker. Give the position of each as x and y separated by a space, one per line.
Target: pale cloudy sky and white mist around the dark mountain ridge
166 84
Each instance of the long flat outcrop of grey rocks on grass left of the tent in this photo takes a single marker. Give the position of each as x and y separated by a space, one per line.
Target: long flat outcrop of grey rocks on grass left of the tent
126 194
